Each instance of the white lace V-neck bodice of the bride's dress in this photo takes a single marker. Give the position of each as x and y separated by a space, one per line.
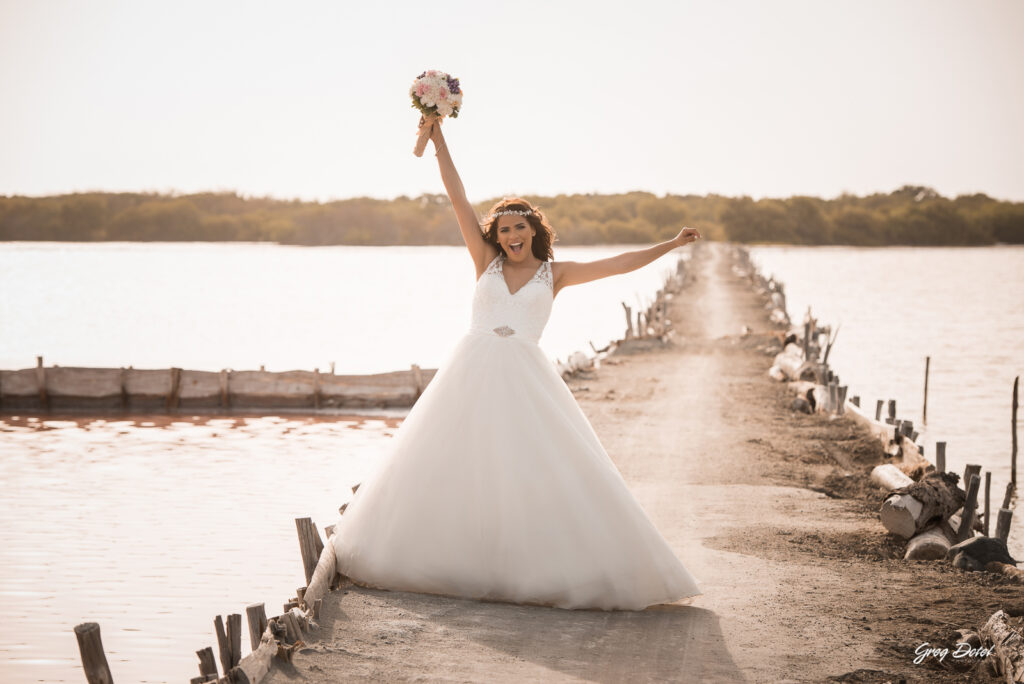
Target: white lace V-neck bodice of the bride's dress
523 314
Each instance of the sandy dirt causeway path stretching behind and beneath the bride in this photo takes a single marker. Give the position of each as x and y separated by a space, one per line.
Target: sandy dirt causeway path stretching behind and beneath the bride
770 509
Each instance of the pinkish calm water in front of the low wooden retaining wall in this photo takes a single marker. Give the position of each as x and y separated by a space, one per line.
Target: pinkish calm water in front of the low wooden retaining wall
153 526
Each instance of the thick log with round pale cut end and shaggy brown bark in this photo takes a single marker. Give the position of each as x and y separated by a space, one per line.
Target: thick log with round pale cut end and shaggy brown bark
911 509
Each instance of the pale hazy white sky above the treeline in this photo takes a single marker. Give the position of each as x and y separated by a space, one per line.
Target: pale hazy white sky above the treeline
310 100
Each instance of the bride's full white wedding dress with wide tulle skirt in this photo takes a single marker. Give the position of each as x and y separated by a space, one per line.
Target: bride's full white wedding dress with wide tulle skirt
497 488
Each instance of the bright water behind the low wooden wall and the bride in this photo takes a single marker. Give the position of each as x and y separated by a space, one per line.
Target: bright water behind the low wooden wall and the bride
211 307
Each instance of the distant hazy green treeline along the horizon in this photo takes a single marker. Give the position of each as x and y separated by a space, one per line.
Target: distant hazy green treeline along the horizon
912 216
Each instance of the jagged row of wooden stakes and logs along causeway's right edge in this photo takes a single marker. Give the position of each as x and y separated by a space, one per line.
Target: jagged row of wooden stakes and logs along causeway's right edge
936 517
